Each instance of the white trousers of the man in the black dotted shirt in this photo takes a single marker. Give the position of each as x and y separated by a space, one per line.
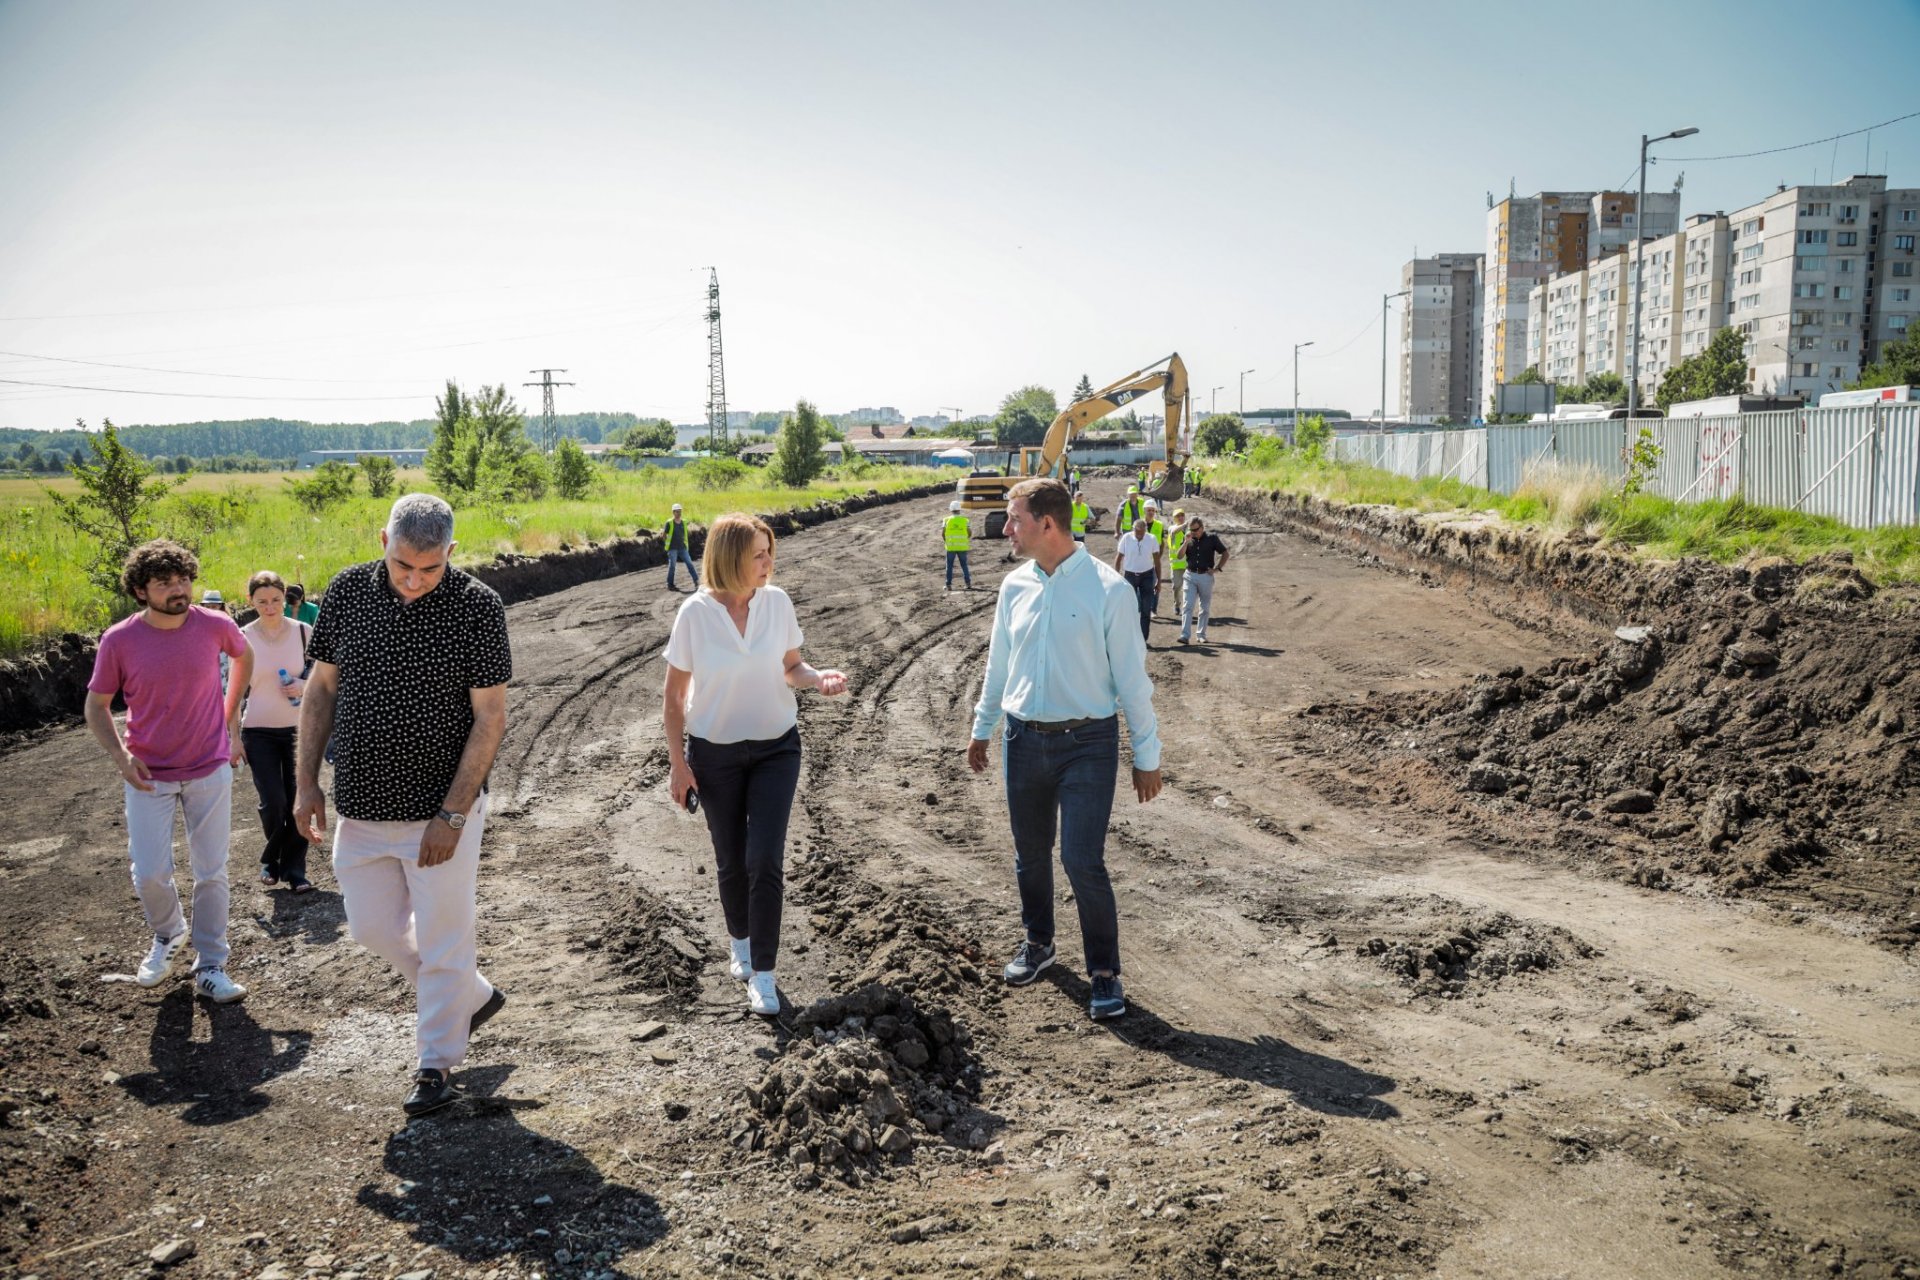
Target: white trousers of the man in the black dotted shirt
420 920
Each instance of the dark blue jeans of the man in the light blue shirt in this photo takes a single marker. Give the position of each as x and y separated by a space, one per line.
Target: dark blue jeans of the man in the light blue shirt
1065 782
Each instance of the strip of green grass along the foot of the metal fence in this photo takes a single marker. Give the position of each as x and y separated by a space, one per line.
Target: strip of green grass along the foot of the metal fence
1562 502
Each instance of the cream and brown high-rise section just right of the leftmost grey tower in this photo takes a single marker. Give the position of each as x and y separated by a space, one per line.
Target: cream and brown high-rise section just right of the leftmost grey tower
1529 239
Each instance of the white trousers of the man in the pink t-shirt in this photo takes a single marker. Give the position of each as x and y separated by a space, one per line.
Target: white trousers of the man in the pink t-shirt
206 805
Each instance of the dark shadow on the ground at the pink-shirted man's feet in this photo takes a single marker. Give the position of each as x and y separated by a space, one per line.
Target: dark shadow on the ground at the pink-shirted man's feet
218 1079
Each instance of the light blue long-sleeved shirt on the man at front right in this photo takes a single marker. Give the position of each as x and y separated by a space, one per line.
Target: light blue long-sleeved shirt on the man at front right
1068 646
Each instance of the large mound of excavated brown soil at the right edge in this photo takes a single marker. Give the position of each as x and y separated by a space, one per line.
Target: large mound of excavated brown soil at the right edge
1758 730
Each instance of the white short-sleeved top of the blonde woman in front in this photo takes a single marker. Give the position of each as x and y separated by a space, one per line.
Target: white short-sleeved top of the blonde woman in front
740 682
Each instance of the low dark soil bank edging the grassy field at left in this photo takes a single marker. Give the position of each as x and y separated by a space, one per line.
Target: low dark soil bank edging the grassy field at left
49 686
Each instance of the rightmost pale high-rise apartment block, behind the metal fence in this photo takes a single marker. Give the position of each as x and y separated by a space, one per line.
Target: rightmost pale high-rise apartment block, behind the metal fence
1817 281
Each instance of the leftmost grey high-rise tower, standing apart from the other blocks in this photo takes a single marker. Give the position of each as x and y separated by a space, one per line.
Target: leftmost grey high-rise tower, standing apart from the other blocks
1439 339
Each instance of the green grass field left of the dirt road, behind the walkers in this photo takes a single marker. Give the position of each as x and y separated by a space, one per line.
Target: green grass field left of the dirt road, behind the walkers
45 590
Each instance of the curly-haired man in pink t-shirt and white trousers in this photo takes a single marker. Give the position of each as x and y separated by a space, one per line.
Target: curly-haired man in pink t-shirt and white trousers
180 755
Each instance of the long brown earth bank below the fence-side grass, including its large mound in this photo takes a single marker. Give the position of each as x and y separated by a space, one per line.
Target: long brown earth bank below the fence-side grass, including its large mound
1746 728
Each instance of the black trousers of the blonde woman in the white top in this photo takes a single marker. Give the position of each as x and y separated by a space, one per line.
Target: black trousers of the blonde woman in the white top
748 797
